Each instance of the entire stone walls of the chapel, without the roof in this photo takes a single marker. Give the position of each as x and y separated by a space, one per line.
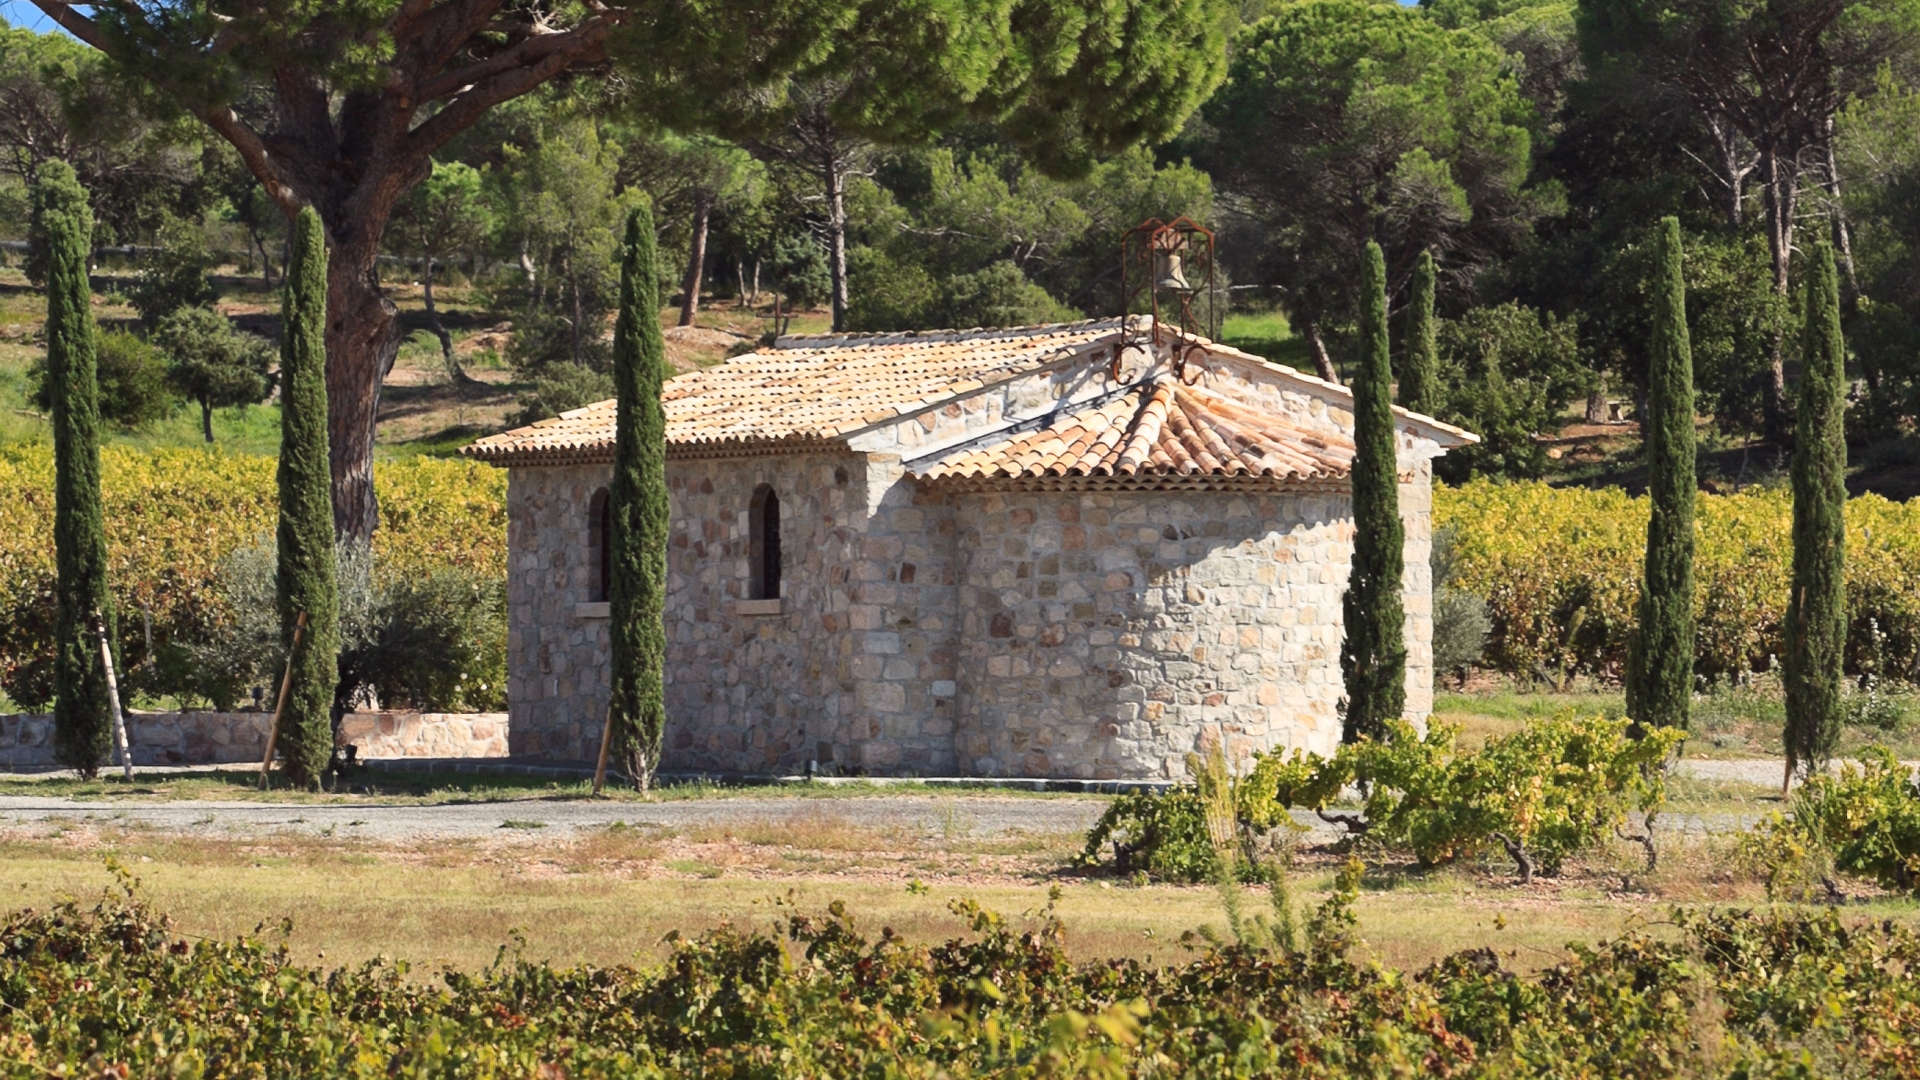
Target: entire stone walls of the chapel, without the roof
1047 635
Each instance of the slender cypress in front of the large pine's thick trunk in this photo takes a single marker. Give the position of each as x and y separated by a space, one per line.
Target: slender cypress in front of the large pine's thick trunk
306 539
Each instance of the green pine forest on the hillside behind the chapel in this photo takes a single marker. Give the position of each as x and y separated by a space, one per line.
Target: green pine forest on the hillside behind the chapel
1527 145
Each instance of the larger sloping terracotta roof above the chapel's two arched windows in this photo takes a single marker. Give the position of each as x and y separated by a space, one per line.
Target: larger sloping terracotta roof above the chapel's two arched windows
807 389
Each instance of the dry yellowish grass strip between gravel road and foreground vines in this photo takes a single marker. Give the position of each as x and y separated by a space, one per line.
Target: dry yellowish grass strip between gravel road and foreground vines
613 895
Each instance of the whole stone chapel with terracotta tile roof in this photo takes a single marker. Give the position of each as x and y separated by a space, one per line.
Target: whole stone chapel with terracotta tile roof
1074 551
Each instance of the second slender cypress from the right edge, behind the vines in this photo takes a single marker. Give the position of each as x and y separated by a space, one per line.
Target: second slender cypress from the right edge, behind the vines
1660 668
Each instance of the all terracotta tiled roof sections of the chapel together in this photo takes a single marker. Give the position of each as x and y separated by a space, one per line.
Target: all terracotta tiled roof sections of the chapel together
819 391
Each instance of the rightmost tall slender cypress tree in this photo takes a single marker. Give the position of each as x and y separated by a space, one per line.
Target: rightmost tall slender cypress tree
1817 608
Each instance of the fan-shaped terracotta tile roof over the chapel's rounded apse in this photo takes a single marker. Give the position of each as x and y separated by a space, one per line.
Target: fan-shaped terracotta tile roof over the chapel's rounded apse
1159 430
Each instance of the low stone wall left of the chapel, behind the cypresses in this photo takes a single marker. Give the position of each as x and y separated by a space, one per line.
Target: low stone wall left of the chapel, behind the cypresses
241 739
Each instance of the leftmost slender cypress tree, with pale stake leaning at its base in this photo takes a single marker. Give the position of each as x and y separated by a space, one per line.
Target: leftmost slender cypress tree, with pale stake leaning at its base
84 727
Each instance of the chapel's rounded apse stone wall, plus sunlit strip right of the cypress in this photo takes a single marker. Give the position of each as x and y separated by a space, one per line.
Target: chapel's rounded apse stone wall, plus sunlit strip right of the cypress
1107 635
